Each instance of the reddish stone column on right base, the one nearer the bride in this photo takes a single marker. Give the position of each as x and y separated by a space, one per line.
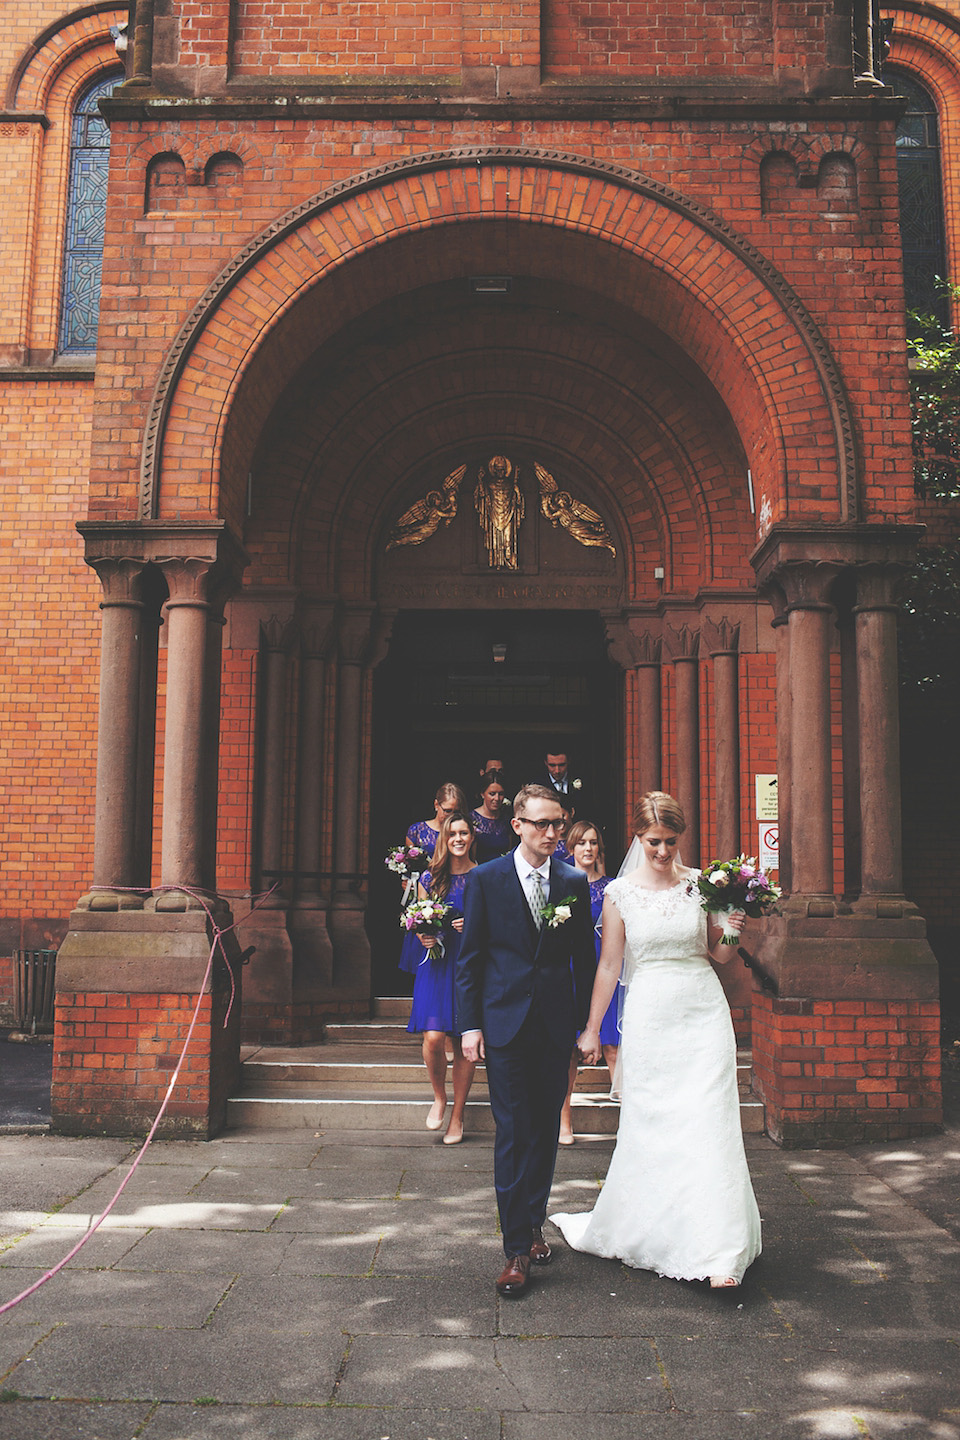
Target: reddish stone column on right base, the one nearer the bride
811 623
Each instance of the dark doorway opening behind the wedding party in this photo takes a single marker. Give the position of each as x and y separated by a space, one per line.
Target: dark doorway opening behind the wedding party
458 689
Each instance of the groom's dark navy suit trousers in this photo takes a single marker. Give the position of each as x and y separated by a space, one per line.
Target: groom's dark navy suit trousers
527 1084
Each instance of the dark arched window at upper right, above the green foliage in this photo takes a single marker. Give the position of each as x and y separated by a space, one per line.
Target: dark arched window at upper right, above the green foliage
922 230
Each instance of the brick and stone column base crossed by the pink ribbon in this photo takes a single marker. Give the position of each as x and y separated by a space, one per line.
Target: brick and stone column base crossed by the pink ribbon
127 986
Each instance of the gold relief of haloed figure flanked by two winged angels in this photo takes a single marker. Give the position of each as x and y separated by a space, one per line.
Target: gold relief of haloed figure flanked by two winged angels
500 509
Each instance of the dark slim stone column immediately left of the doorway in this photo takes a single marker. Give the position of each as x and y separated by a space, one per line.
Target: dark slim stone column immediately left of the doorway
352 948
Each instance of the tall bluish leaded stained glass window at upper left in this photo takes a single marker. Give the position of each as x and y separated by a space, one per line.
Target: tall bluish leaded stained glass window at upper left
86 217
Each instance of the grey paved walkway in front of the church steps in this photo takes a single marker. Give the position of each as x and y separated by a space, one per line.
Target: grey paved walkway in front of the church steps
291 1285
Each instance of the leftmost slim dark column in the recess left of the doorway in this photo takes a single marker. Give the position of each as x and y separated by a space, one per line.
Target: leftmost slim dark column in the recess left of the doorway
276 644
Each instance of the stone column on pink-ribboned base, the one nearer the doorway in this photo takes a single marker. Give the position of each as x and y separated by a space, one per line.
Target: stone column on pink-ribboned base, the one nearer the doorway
184 783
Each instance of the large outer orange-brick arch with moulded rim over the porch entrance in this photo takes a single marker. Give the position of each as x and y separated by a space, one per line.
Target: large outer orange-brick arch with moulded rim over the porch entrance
697 282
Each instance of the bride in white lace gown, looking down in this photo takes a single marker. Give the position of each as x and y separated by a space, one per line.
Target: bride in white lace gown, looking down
677 1199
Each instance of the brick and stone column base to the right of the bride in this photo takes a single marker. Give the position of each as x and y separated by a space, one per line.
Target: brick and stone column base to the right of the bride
848 1048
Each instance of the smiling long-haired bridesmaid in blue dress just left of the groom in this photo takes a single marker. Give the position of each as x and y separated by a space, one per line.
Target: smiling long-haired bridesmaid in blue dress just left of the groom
433 1012
